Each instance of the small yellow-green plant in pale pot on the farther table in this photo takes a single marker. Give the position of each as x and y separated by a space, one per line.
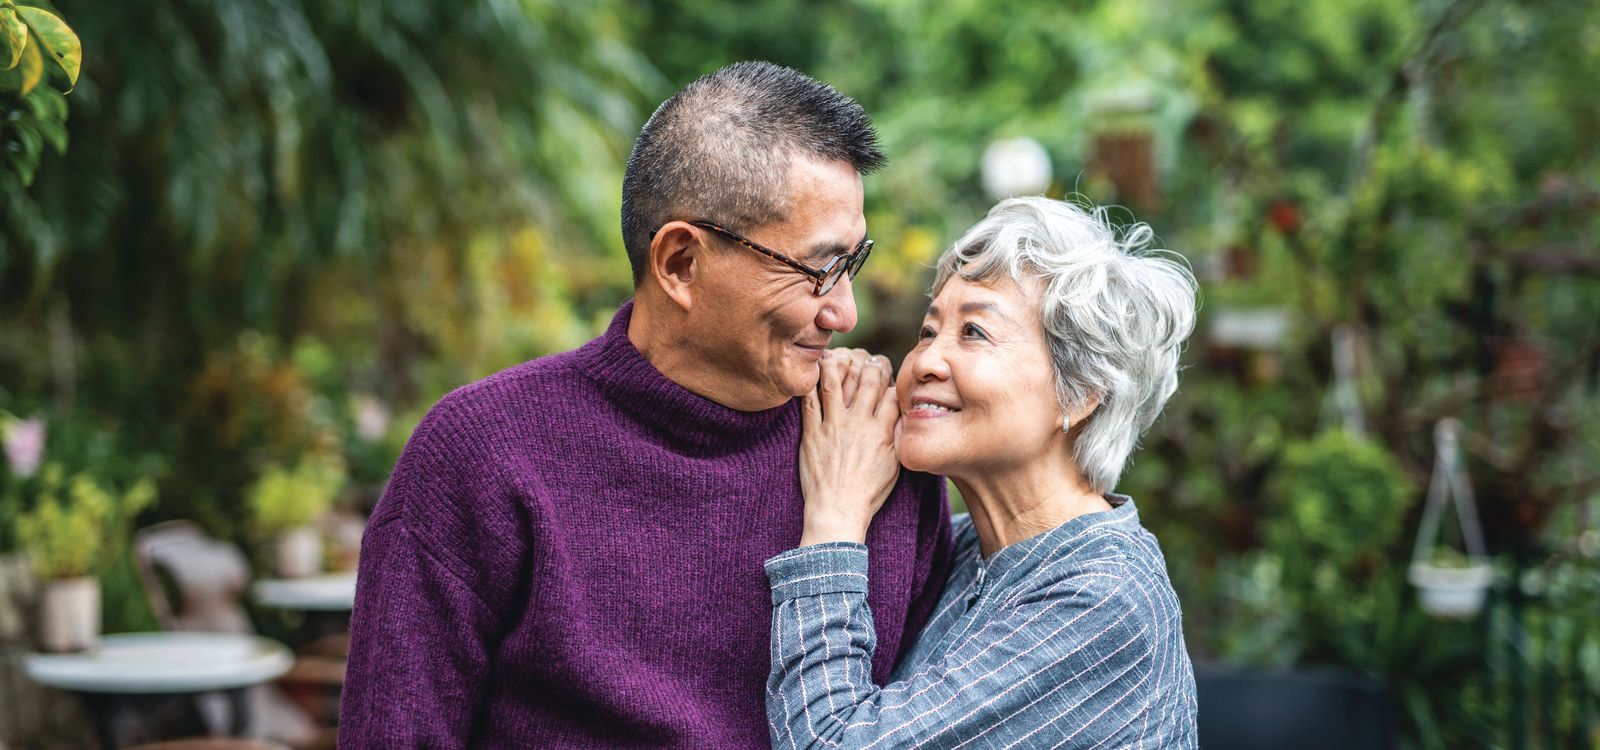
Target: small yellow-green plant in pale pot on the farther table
286 506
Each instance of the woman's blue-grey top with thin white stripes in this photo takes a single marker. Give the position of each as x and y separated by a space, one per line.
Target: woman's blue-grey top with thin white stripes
1068 640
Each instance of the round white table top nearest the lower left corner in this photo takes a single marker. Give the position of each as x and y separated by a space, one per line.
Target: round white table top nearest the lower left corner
164 663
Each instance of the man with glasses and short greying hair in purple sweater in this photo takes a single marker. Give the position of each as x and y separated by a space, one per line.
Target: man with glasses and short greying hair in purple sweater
570 551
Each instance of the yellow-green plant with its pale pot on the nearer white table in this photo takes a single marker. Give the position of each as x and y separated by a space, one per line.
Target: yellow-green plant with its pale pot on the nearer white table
65 533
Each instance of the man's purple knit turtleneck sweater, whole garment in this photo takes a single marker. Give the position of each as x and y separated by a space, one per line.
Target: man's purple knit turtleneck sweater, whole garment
570 556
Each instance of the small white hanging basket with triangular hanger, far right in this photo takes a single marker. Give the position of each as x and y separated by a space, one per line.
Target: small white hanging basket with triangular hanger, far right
1449 583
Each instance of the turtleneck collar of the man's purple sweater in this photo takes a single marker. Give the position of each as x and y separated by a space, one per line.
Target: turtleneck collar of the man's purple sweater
694 423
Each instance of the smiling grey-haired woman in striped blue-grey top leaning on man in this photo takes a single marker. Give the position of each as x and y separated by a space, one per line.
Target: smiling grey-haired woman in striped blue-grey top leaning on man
1050 346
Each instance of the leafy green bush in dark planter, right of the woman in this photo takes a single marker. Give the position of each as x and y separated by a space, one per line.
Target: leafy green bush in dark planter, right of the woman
1310 605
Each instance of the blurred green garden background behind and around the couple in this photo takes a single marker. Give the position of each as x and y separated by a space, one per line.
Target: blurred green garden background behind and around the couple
260 237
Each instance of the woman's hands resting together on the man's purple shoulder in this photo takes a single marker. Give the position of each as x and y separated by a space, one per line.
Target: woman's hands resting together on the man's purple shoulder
847 450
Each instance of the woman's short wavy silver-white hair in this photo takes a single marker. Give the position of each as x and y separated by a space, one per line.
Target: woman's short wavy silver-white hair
1116 314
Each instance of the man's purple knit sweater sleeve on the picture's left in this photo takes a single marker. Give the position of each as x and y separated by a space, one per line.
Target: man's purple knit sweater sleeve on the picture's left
439 573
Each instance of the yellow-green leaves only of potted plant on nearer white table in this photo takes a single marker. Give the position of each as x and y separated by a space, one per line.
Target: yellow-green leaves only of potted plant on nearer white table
71 521
